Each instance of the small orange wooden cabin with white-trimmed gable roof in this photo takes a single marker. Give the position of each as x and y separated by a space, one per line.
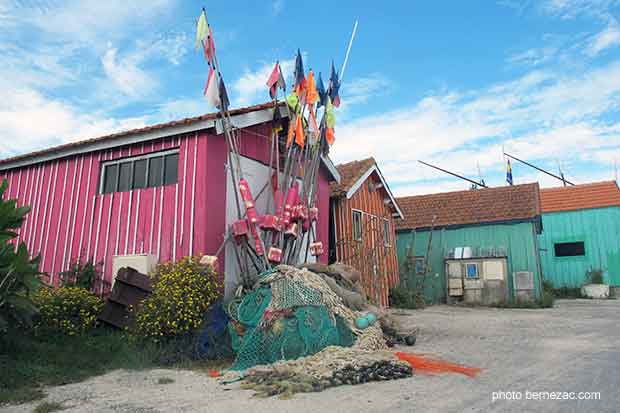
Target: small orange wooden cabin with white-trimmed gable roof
362 213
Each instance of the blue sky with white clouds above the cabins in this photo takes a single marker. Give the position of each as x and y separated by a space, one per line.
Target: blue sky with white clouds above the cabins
446 82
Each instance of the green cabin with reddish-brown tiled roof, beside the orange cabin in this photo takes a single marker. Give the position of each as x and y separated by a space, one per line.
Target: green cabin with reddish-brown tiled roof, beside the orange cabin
491 223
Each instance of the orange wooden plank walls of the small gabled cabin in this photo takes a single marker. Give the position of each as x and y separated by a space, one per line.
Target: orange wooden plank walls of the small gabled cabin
377 262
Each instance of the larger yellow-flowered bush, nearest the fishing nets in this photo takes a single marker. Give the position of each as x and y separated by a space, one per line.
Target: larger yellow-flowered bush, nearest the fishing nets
182 292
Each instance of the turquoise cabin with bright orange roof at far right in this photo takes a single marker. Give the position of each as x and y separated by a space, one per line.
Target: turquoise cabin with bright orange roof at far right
581 232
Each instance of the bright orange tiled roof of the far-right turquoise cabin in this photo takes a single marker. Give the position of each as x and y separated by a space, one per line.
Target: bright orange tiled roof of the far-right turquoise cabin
585 196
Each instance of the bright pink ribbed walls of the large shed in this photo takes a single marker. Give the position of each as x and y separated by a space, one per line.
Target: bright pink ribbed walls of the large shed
70 219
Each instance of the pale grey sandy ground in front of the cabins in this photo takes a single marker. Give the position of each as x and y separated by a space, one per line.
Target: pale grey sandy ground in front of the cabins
573 347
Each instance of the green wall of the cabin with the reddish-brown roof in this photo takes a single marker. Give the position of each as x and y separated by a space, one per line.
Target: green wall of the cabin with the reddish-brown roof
519 239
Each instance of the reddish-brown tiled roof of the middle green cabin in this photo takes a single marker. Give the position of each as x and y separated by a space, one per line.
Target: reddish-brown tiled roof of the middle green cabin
486 205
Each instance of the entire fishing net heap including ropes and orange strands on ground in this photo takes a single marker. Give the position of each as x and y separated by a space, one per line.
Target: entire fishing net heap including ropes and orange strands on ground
298 330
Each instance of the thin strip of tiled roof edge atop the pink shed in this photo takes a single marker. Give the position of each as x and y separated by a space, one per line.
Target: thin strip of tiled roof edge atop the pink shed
186 121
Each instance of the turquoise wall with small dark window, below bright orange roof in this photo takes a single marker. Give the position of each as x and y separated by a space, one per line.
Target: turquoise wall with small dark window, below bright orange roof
599 229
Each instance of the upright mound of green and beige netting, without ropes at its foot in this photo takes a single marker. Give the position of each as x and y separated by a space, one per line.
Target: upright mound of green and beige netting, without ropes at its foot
290 313
